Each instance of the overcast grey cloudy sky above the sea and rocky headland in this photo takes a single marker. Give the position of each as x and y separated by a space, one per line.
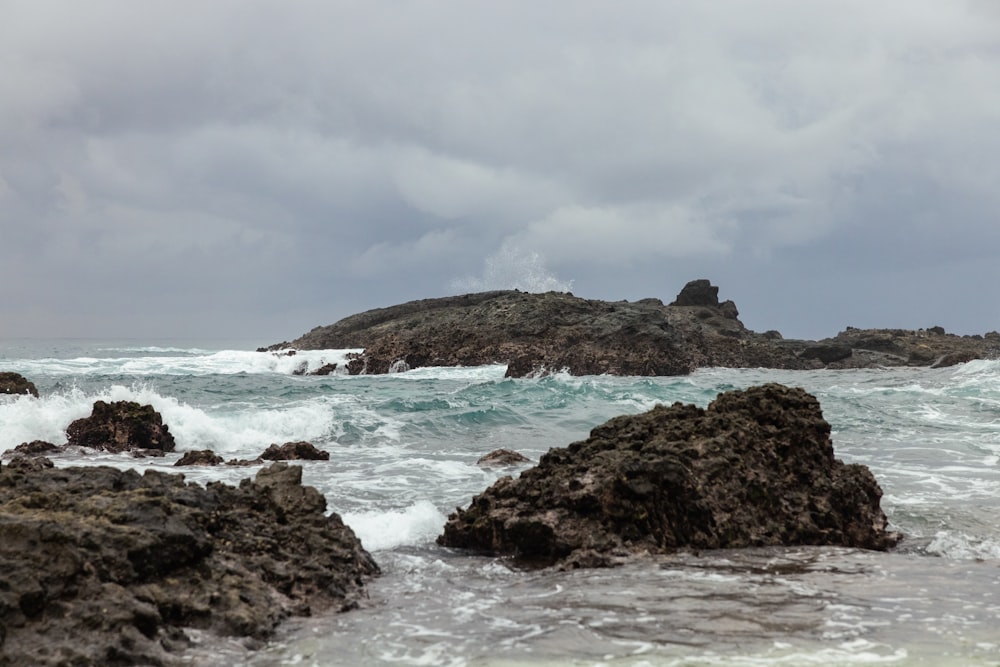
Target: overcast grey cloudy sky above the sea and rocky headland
252 169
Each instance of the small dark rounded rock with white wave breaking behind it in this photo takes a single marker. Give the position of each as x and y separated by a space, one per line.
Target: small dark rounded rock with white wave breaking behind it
121 426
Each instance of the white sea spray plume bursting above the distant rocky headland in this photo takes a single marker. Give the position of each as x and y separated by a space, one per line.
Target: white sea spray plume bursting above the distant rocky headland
513 268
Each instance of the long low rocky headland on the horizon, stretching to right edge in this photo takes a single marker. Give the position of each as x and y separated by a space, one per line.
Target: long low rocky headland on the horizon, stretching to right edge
538 333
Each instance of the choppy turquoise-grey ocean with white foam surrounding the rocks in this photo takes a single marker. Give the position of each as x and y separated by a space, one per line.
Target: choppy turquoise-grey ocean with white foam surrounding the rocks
403 450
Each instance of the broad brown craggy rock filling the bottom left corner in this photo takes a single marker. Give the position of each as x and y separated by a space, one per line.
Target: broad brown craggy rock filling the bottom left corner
108 567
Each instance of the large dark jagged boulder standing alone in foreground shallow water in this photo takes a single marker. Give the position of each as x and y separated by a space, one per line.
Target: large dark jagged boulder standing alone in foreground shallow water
755 468
